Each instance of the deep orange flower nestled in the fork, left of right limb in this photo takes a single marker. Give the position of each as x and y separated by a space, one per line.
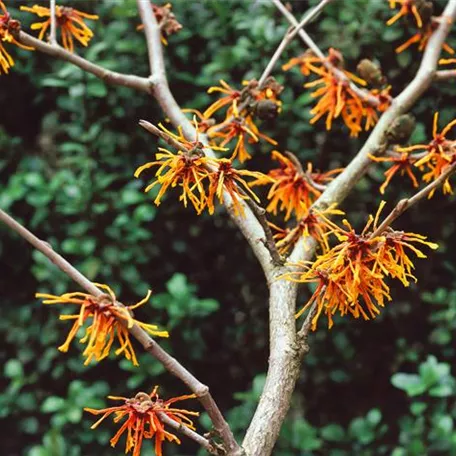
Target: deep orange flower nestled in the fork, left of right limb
292 190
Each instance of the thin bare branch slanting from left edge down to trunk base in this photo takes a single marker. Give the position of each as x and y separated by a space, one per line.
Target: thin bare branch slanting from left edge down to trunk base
149 344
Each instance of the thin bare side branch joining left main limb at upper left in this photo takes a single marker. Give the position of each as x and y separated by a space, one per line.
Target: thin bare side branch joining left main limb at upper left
108 76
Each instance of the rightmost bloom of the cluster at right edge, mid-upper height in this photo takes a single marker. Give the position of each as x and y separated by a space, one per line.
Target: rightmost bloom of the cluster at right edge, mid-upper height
437 155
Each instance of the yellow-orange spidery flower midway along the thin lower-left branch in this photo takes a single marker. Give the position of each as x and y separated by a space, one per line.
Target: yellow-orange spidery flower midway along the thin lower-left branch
109 320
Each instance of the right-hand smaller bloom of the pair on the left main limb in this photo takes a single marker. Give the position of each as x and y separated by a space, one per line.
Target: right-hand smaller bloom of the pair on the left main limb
231 180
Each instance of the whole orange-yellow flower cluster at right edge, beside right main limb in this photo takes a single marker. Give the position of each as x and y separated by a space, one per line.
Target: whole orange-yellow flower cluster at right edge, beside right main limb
433 158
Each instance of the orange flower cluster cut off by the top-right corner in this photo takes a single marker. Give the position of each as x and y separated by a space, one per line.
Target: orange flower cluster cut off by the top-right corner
426 23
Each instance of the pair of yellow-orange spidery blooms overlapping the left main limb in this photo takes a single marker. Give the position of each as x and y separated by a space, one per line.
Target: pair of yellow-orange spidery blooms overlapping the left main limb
201 178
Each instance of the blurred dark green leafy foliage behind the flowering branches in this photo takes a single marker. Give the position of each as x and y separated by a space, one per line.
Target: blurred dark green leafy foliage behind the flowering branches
69 146
